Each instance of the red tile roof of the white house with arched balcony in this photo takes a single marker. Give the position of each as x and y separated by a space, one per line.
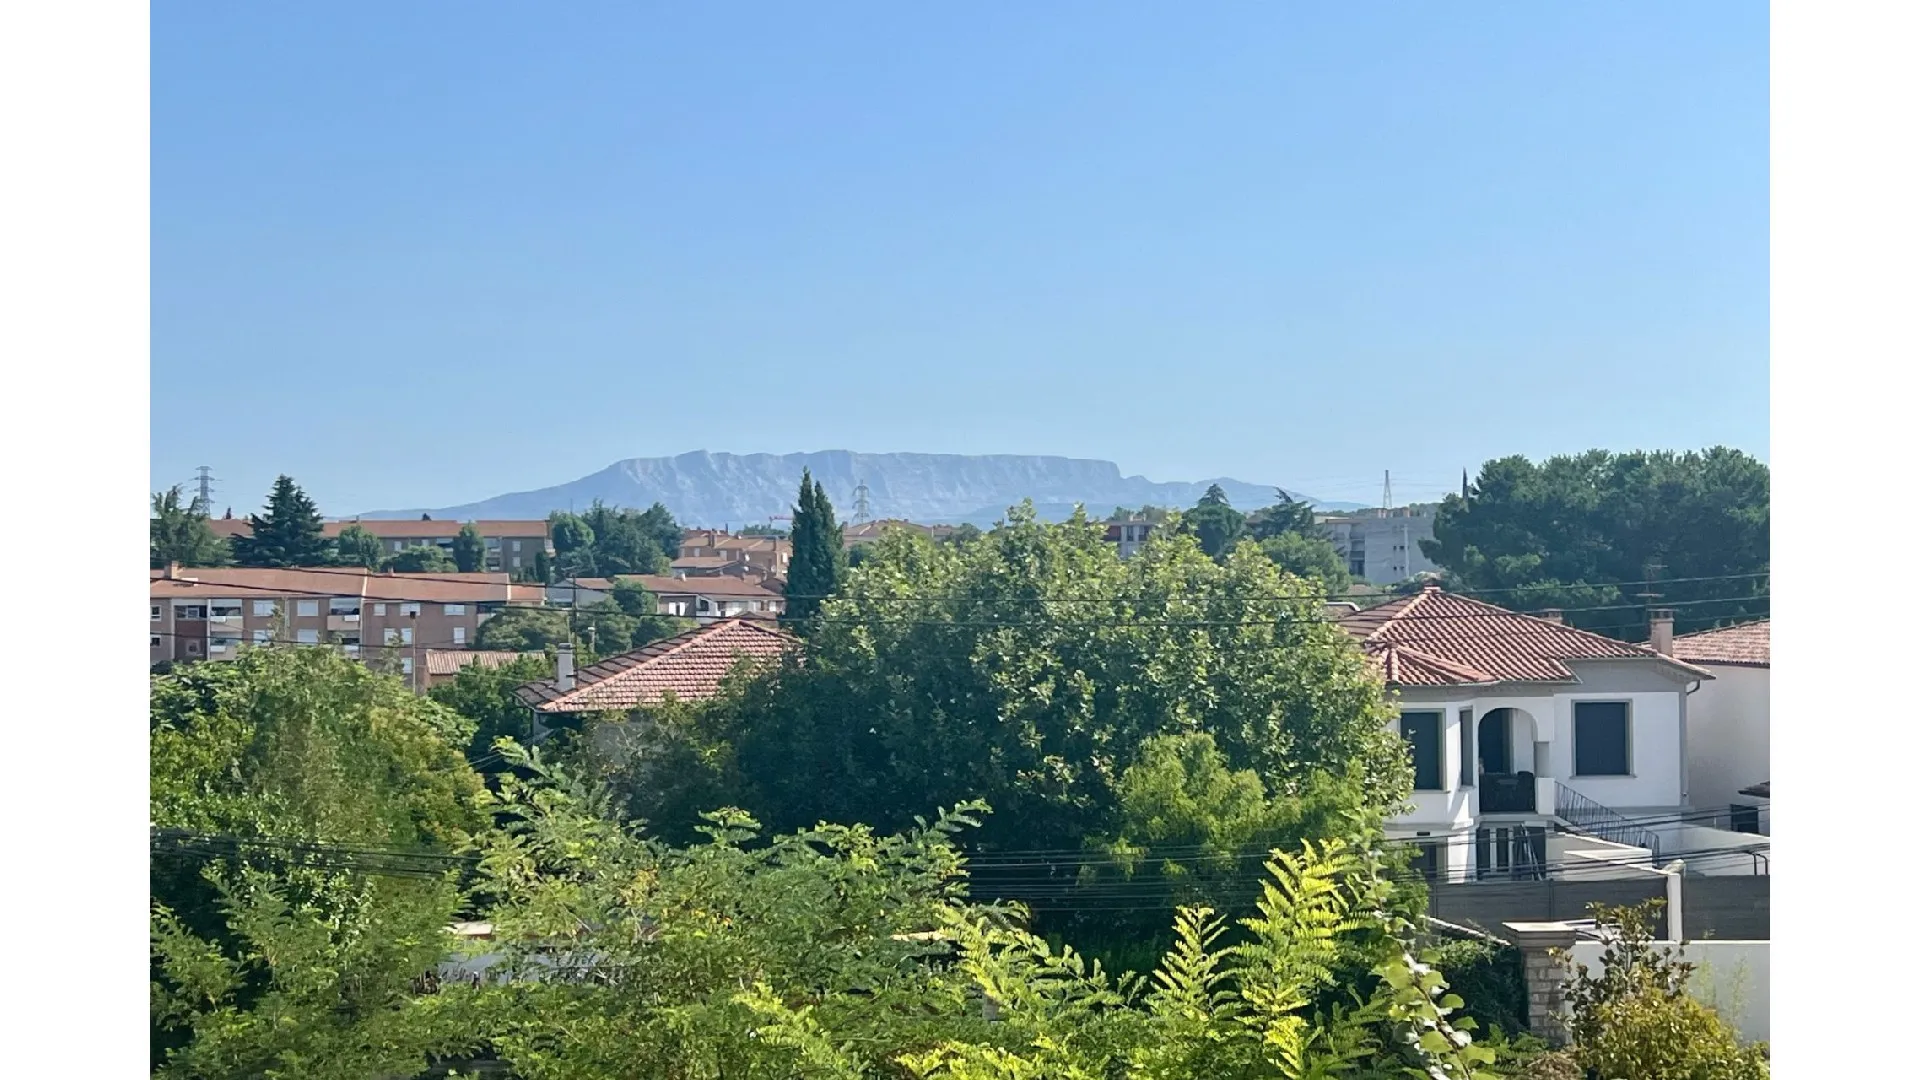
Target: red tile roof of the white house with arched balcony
1437 639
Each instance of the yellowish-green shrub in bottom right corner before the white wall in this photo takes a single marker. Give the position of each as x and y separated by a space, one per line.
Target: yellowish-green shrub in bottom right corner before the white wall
1637 1019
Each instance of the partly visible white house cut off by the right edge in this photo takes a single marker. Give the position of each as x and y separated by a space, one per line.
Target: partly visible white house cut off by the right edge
1729 725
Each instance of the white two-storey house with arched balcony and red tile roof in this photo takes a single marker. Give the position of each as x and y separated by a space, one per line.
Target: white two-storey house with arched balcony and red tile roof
1524 727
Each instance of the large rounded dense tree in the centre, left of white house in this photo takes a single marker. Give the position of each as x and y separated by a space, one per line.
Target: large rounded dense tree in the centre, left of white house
1042 706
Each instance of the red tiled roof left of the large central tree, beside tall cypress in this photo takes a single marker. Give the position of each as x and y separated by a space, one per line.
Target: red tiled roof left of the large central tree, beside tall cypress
688 666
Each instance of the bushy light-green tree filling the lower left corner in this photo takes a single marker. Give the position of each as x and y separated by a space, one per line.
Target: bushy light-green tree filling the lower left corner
276 948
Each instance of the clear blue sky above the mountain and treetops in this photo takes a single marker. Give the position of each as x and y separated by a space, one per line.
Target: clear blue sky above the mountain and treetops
418 255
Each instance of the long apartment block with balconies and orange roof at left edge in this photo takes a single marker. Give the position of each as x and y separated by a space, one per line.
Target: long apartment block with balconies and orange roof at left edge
212 614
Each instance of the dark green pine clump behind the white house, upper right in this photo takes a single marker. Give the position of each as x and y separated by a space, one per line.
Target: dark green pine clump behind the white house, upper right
1560 531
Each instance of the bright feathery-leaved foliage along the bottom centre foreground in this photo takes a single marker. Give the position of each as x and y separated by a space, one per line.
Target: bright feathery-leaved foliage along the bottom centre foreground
846 954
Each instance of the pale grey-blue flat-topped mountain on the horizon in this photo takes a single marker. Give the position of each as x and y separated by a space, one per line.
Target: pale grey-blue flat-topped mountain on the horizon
742 489
